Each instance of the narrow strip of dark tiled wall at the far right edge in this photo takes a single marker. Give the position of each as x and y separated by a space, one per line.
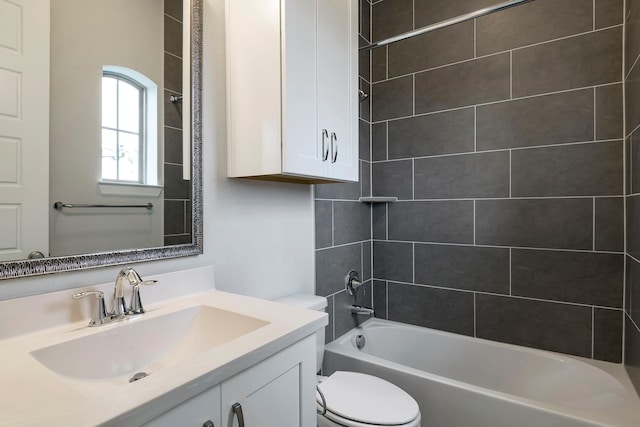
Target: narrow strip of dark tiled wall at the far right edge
632 150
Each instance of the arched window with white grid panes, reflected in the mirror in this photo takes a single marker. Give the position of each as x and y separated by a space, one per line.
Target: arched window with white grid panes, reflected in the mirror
123 126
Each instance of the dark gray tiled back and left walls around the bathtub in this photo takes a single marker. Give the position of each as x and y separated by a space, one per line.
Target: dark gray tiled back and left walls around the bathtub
503 139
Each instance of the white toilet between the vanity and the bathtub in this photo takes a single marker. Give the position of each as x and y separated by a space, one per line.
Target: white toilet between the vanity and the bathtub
354 399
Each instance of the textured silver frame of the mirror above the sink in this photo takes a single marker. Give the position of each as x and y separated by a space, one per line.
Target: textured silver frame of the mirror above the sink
25 268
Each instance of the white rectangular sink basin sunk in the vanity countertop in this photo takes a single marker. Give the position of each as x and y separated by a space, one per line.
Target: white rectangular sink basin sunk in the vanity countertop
146 344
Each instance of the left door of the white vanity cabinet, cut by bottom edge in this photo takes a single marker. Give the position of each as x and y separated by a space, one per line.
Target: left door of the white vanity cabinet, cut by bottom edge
195 412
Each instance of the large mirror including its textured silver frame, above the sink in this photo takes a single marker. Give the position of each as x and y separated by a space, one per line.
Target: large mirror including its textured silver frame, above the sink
118 111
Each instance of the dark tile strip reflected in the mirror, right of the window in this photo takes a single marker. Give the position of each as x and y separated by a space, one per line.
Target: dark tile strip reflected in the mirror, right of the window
177 197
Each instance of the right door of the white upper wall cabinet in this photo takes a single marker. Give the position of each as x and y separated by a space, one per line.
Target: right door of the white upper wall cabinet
338 84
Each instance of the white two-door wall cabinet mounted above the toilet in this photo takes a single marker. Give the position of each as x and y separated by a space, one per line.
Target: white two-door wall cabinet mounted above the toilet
292 89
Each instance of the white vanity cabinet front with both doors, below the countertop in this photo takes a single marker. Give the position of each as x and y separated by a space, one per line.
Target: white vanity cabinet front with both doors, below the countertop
276 392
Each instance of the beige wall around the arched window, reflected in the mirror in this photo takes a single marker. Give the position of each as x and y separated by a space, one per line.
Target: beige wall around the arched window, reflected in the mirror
85 36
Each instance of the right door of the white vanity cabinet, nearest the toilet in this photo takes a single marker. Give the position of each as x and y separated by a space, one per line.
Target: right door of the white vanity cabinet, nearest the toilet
279 392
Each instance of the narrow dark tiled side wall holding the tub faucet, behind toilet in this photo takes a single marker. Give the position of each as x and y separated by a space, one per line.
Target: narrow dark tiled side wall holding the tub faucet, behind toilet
343 224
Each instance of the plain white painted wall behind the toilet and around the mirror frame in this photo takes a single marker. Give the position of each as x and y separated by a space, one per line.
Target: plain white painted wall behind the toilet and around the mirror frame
258 236
